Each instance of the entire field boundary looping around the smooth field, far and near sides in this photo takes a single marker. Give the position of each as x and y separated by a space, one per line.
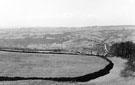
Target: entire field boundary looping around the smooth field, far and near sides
83 78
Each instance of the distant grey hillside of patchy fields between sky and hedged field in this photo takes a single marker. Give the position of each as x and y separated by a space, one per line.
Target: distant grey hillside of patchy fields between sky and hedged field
69 38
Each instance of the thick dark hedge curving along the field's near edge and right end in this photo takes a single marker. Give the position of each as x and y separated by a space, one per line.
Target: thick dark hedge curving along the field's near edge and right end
83 78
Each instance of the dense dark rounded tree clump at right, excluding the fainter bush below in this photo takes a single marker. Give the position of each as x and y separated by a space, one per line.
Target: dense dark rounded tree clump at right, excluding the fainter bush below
123 49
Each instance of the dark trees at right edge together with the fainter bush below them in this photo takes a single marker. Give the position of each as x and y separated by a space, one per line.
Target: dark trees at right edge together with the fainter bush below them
125 50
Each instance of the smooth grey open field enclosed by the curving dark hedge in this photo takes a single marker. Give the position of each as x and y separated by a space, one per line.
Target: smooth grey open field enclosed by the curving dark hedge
48 65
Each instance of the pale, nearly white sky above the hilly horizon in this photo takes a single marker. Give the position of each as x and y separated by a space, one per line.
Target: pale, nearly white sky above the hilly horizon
66 13
